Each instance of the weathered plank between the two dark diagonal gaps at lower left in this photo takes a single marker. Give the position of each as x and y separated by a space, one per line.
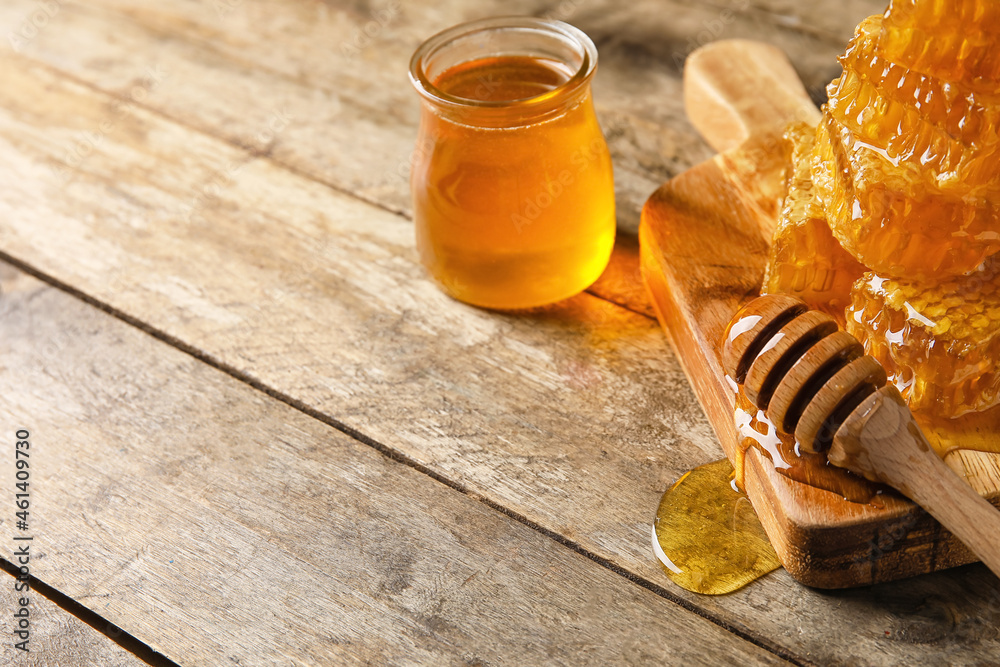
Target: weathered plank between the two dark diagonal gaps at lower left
220 525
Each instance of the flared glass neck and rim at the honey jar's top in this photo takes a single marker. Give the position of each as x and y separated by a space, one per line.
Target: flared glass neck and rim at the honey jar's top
566 48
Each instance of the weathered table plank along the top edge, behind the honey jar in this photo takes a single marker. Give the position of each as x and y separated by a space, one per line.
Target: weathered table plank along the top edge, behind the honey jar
333 76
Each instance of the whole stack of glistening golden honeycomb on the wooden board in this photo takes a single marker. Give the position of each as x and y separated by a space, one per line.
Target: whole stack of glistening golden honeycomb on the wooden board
904 173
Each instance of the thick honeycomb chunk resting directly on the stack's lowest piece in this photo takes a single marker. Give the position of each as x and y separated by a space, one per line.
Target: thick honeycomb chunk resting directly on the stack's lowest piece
890 219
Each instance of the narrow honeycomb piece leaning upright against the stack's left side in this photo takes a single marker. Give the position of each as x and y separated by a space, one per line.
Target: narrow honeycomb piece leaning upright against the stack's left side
805 259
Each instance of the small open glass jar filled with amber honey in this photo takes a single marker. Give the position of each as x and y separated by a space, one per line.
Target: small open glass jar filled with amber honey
513 192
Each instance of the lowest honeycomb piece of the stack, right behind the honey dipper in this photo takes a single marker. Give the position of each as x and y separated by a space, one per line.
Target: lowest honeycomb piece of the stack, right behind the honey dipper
939 345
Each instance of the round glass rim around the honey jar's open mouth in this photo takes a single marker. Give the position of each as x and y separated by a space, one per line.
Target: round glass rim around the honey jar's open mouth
434 44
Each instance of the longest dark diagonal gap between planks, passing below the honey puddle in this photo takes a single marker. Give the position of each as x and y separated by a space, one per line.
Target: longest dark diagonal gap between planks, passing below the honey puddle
389 453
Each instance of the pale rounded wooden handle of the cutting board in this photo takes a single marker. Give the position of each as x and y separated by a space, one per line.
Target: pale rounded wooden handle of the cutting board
737 88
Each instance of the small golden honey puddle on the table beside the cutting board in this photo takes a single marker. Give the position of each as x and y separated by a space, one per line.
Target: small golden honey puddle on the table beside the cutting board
706 535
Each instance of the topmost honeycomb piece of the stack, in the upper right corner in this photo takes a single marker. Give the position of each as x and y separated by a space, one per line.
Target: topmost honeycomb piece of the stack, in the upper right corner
954 40
